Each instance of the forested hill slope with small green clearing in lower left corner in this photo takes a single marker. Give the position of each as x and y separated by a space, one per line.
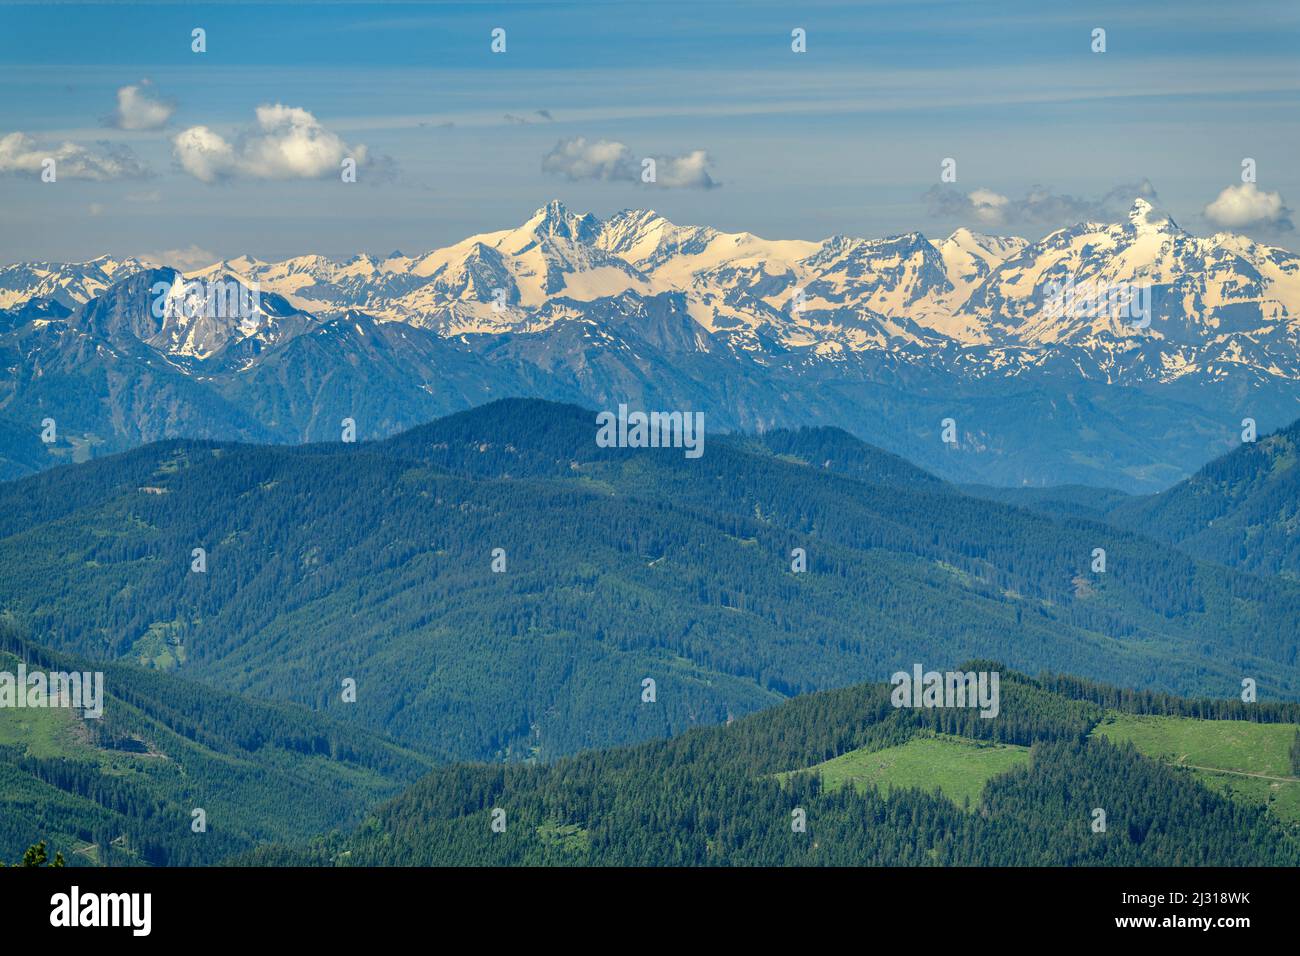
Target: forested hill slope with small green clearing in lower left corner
122 790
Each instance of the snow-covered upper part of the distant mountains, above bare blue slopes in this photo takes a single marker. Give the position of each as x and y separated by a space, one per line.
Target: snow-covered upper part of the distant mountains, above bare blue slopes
1219 302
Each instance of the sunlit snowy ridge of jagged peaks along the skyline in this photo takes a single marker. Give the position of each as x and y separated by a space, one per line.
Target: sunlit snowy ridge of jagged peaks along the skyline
890 278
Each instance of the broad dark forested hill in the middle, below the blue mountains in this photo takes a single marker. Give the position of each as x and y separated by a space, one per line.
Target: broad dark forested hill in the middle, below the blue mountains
374 563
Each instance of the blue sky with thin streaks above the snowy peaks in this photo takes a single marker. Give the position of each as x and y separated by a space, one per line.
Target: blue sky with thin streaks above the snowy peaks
846 139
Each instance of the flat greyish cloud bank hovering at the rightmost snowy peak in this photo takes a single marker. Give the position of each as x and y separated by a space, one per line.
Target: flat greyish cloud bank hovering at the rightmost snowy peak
1039 206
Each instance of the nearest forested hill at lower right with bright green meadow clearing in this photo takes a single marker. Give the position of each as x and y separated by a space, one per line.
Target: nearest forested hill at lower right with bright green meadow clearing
733 795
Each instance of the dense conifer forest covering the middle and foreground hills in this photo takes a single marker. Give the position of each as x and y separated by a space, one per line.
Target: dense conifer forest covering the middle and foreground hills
294 637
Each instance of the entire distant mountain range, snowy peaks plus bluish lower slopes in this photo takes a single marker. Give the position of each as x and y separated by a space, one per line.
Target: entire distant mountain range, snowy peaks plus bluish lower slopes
759 332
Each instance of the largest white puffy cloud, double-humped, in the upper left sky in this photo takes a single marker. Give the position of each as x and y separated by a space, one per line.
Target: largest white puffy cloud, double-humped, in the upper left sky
288 144
